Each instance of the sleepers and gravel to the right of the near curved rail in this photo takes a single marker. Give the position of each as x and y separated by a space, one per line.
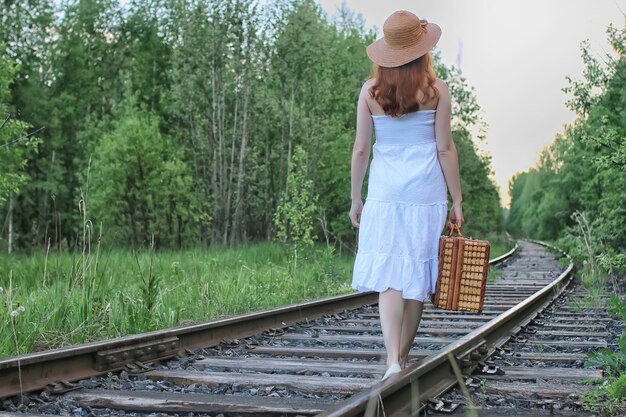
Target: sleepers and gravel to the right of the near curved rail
541 371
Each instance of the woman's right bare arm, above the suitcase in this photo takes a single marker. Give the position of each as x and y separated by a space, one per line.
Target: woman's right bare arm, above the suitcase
446 150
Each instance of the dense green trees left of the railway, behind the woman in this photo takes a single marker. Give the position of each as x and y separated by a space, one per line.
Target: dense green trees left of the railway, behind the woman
191 124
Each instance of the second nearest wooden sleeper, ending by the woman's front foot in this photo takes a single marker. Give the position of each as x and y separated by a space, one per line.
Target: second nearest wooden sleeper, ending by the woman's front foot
317 384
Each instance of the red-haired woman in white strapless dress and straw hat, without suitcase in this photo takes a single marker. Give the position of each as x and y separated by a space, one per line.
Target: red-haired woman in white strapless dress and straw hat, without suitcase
414 159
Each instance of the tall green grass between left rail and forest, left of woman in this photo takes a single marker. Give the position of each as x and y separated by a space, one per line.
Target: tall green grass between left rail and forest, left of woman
73 299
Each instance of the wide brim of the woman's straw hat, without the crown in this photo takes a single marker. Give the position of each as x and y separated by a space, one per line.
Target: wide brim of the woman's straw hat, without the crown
386 56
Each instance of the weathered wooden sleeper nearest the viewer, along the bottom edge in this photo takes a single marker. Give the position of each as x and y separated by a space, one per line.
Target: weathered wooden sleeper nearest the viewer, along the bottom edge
176 402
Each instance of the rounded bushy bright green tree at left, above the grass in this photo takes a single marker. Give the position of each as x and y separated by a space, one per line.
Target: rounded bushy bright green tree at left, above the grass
140 186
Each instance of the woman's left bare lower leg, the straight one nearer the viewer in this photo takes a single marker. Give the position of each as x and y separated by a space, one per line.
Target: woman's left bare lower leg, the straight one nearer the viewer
391 310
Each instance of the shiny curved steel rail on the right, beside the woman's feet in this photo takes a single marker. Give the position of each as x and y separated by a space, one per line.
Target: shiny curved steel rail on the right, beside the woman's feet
405 393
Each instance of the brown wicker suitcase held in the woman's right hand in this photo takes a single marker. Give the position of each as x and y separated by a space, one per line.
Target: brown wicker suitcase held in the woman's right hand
462 275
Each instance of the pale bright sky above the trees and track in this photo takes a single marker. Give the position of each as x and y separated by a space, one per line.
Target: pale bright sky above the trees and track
517 55
